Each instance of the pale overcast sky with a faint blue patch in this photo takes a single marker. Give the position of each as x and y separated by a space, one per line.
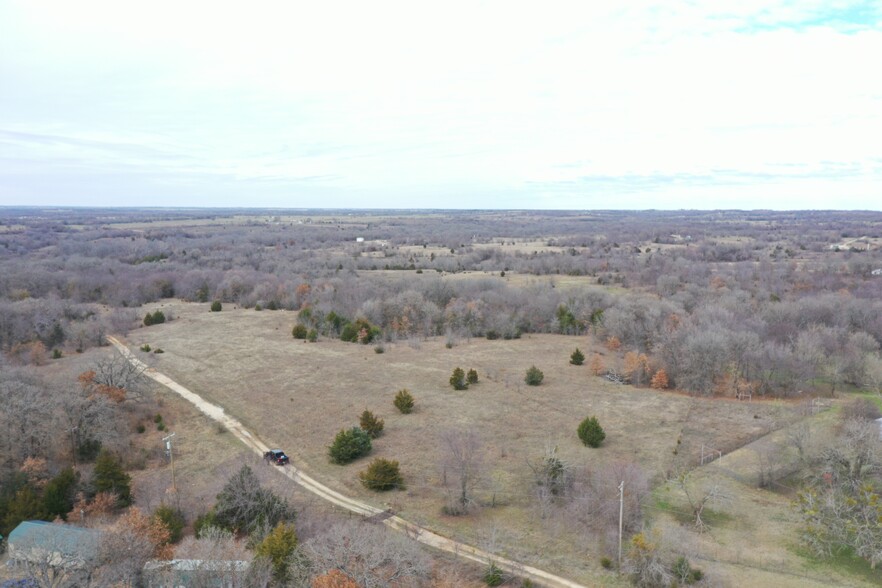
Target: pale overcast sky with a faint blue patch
639 104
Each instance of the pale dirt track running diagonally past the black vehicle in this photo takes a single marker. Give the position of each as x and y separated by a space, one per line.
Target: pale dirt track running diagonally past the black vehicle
411 530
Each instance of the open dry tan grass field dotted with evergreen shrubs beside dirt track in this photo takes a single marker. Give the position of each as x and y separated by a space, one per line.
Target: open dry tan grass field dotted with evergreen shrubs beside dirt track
297 395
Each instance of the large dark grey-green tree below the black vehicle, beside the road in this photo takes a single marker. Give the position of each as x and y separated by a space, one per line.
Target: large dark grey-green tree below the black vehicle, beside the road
244 506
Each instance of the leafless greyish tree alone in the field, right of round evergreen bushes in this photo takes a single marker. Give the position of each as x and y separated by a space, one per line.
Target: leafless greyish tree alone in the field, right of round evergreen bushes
462 468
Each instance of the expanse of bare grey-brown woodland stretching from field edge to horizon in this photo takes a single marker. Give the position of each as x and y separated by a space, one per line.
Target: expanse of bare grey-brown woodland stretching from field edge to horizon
777 301
